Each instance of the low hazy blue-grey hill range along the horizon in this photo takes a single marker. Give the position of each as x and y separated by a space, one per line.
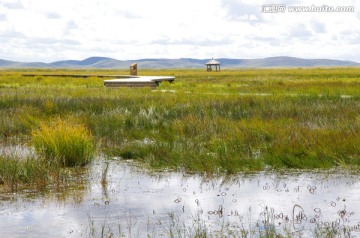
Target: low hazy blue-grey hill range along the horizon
103 62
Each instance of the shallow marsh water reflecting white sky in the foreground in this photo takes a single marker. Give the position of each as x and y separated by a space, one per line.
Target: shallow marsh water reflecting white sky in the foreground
134 202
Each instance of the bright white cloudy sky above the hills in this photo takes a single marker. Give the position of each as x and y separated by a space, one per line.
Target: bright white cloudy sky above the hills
52 30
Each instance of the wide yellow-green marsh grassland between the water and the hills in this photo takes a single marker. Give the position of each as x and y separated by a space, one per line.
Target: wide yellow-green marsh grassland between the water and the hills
235 120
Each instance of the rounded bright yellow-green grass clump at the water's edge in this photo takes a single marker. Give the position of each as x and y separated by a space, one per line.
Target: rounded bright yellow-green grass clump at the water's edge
64 142
